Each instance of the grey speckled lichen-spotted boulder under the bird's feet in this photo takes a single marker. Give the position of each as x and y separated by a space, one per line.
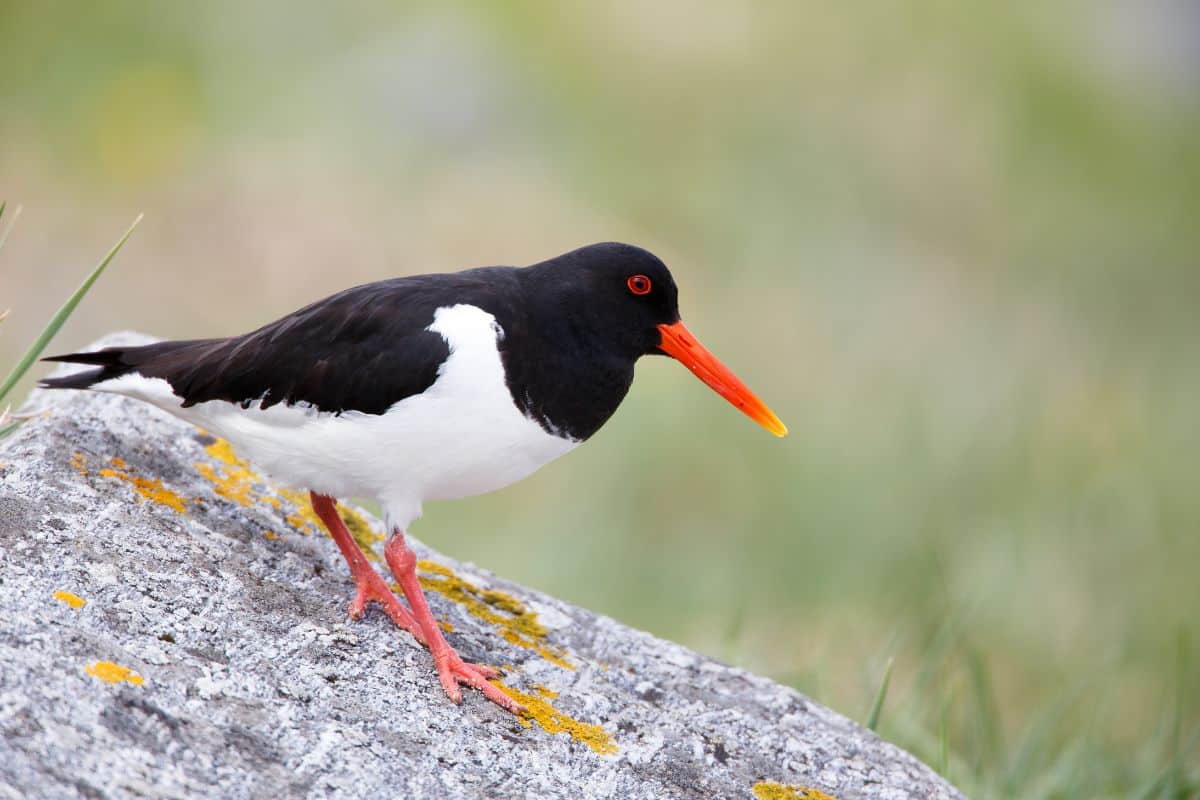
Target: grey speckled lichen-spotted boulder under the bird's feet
175 625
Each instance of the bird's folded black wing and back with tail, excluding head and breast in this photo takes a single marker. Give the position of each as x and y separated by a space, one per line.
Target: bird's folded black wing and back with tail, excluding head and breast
363 350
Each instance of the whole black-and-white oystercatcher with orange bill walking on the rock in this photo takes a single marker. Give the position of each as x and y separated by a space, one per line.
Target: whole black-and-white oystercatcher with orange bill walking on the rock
425 388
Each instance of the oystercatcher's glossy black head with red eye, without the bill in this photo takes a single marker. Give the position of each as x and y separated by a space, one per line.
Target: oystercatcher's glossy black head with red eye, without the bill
615 296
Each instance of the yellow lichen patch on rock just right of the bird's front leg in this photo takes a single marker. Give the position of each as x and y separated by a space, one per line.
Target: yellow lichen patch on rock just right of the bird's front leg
519 625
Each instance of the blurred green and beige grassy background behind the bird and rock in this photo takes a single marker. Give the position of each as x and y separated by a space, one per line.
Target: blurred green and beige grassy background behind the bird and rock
953 245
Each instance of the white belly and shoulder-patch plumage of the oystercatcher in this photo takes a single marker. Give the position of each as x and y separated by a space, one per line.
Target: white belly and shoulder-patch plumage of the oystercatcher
463 436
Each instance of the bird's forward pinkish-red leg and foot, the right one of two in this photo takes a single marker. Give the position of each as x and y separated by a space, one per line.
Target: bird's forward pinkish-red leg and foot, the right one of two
452 669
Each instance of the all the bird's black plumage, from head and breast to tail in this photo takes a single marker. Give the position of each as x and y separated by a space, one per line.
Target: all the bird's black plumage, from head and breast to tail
572 333
